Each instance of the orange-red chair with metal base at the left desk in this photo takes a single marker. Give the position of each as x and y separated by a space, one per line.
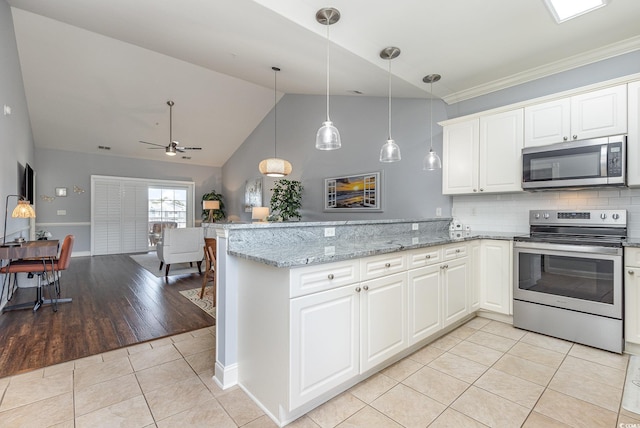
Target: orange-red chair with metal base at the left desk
48 272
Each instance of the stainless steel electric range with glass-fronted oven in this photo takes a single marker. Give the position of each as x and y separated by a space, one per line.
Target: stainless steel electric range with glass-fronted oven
569 276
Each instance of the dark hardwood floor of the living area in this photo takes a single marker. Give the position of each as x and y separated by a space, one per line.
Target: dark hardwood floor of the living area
116 303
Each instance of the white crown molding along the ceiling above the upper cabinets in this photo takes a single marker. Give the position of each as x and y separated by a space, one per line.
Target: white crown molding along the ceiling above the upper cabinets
590 57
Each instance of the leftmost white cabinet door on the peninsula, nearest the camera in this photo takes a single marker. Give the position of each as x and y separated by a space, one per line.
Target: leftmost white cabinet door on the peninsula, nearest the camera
325 335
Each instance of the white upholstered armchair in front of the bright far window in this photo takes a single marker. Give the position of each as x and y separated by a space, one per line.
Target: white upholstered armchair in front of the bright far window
181 245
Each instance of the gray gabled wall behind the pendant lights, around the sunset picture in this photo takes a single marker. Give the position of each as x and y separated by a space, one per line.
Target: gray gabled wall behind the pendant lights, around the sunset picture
407 192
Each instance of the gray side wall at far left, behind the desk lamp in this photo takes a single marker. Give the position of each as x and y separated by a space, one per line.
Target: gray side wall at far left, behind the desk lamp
16 142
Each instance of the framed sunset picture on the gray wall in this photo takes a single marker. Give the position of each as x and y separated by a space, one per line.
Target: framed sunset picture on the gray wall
353 193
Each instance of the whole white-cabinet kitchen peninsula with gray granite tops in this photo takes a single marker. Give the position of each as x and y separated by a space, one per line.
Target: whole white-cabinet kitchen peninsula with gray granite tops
306 310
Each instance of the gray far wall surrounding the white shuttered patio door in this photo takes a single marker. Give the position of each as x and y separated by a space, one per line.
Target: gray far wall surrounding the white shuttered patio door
57 168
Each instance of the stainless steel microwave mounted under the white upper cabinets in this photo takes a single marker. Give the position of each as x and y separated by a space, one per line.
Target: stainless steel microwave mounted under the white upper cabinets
575 164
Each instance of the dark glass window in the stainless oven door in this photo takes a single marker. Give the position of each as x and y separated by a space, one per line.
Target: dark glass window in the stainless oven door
575 277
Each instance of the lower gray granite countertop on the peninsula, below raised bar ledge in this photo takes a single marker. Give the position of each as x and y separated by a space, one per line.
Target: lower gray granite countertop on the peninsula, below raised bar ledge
331 250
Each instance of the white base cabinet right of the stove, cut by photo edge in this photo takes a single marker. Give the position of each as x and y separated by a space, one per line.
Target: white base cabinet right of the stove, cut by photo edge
632 295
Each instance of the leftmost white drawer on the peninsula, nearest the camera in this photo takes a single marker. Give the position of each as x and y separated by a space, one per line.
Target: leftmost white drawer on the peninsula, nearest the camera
311 279
